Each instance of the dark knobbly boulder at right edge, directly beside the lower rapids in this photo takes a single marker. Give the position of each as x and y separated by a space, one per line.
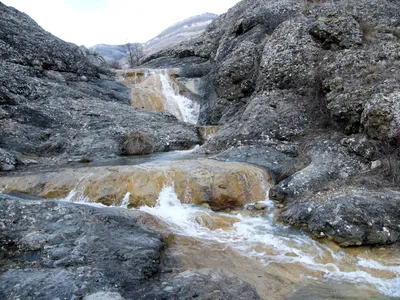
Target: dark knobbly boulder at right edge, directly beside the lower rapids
358 218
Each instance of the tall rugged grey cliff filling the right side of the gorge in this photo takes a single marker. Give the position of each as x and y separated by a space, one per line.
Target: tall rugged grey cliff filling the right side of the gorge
315 80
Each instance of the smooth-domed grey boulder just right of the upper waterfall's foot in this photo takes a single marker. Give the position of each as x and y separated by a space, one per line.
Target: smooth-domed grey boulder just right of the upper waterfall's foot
286 120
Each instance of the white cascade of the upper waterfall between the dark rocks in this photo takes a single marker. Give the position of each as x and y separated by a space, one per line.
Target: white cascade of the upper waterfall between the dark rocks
181 107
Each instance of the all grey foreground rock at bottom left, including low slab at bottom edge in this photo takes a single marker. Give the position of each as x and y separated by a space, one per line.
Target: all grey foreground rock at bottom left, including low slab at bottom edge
62 250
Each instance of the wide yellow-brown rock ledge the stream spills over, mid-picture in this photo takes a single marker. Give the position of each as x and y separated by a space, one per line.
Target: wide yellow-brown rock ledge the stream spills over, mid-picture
222 185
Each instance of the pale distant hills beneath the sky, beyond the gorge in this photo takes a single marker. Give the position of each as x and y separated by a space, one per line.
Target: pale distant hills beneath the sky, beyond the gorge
173 35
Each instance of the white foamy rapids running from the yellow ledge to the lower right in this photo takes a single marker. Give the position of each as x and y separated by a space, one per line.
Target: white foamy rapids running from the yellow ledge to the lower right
268 242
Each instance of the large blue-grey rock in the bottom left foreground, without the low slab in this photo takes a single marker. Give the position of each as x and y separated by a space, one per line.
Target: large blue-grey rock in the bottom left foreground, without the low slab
63 249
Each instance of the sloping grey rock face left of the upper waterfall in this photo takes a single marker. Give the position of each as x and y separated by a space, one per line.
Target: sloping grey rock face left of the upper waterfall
56 101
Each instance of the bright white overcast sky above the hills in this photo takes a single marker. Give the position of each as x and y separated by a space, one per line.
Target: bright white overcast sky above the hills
91 22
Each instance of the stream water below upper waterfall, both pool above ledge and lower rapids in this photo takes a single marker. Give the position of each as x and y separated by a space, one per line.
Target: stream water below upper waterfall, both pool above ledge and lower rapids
279 261
